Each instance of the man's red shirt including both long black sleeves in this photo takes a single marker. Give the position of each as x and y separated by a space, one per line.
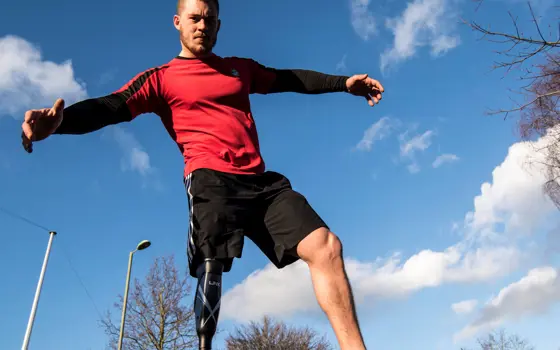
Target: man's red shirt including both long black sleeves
204 105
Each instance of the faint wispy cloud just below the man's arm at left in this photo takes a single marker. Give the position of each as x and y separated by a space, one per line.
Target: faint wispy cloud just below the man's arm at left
134 157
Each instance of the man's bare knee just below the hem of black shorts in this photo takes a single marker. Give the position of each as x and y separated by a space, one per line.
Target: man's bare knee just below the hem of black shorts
320 247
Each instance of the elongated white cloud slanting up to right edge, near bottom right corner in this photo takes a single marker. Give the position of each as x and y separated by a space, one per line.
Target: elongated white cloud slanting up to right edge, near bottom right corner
533 294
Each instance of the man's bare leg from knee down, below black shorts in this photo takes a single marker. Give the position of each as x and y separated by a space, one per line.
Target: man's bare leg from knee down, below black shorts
322 251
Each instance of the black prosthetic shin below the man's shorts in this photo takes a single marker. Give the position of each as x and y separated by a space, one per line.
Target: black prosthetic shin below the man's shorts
207 301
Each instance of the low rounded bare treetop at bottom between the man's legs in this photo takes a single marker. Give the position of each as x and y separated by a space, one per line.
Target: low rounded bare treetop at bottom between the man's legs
275 335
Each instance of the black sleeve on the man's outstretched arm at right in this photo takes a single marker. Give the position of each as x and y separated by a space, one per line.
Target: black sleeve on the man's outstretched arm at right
307 82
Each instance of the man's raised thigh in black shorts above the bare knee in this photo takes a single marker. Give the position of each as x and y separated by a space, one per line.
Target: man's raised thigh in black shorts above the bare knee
288 218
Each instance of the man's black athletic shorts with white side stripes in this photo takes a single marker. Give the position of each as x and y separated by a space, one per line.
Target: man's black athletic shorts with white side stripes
224 208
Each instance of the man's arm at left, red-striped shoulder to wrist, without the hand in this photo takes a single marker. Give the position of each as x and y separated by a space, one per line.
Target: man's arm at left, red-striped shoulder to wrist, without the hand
142 94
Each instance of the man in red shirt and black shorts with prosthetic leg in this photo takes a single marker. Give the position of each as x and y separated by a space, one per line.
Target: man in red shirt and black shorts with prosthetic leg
203 102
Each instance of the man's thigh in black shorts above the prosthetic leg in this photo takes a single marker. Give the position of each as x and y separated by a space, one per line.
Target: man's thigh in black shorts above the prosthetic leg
217 218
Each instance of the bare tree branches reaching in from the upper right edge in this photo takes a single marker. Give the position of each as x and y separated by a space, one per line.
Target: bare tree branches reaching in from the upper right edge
536 58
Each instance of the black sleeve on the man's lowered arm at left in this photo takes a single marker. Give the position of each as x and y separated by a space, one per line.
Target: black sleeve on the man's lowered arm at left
93 114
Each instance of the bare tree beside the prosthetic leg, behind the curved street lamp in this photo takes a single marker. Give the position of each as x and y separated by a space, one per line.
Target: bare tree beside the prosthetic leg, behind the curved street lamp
158 314
